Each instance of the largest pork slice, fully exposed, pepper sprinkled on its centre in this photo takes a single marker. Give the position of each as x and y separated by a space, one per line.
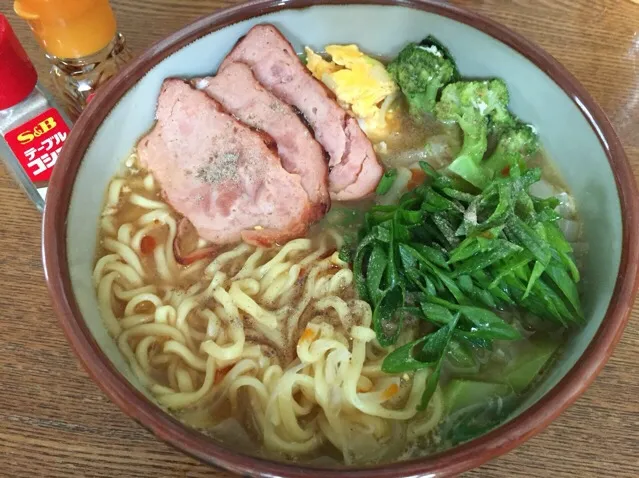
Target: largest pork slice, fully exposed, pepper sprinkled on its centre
219 173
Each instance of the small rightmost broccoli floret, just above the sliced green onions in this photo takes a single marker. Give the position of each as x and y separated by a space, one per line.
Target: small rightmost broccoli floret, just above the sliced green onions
514 146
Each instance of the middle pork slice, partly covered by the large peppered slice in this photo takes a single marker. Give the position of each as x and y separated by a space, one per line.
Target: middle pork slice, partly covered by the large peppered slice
242 95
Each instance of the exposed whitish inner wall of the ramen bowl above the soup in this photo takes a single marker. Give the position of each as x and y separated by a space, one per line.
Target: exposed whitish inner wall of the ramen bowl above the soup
381 30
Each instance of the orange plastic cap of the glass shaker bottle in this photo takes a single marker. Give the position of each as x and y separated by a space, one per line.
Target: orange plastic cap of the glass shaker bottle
69 28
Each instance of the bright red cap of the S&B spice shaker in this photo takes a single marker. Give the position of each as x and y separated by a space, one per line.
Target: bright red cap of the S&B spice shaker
16 70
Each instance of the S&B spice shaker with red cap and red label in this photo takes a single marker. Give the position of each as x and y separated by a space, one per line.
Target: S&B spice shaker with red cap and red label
32 128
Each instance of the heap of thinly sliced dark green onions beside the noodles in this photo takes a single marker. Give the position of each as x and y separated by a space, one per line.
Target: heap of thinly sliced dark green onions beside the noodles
453 258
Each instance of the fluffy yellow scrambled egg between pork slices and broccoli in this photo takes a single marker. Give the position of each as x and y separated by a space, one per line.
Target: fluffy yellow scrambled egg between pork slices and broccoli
359 82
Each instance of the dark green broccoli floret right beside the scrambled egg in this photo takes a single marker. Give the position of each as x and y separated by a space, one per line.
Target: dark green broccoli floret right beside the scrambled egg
421 71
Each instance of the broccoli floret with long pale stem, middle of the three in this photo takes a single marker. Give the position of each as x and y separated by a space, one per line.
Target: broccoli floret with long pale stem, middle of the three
478 107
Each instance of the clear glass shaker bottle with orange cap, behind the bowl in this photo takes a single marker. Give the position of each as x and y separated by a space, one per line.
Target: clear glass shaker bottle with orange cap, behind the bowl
81 43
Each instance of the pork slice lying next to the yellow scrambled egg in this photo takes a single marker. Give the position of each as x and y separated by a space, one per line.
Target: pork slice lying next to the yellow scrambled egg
354 169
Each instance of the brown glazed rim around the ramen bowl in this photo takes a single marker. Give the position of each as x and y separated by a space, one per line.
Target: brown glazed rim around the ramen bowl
451 462
